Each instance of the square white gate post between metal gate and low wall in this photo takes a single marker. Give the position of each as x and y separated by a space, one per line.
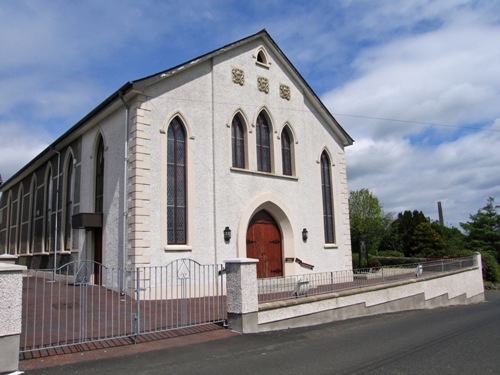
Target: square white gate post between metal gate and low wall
242 295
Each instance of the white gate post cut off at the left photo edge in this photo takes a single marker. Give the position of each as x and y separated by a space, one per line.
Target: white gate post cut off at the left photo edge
11 295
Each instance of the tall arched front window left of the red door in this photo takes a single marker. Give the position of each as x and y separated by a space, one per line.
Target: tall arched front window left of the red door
176 183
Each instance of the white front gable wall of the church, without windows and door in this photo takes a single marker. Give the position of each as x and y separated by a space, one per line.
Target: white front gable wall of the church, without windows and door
206 98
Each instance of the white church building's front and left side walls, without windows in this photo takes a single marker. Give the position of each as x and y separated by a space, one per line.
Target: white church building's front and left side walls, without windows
248 78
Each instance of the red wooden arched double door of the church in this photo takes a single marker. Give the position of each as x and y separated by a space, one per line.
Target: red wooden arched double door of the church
264 244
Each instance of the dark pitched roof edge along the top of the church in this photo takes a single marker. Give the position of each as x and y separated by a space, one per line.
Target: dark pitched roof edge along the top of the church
136 86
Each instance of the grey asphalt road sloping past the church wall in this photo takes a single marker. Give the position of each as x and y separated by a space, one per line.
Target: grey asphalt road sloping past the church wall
454 340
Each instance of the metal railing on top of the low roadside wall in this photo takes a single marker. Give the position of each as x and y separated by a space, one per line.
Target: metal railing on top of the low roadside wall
282 288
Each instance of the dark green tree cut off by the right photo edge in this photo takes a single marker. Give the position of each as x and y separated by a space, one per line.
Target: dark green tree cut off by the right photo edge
483 229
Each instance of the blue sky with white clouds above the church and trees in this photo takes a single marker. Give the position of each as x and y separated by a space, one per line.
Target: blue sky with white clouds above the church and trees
416 83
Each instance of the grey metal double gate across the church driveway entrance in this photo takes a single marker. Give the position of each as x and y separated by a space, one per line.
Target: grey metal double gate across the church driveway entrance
84 302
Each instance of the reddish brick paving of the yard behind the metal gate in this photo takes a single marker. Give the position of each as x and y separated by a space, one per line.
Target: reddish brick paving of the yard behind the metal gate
61 318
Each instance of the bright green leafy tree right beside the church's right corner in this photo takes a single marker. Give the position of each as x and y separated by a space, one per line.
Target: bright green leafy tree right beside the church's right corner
366 219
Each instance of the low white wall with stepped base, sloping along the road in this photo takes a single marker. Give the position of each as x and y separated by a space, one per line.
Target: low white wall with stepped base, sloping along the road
455 288
